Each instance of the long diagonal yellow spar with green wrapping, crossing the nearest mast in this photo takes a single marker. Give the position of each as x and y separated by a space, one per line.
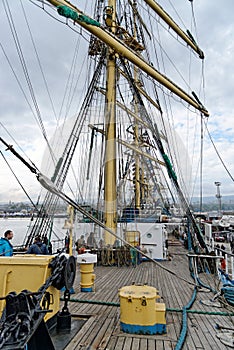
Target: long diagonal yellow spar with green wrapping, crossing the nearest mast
122 49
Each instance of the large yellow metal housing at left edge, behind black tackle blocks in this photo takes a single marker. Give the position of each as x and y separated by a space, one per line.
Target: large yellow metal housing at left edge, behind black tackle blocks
28 272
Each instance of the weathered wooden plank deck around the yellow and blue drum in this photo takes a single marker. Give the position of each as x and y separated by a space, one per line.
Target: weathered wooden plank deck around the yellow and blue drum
102 327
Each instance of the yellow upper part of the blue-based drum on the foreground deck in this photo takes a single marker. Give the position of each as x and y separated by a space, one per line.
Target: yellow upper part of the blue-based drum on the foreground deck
138 306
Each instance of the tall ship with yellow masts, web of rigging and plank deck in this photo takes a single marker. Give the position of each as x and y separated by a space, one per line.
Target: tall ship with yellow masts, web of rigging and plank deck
117 162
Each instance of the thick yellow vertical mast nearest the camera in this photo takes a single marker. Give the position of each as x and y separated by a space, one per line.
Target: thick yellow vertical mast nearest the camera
110 186
